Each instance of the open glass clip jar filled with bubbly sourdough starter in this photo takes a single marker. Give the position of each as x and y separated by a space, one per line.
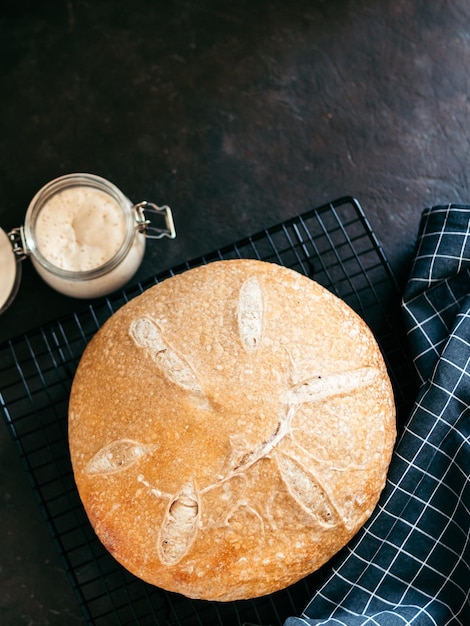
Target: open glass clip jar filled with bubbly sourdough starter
85 238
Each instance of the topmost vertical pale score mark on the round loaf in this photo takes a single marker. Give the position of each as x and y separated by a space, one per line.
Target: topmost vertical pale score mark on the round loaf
250 314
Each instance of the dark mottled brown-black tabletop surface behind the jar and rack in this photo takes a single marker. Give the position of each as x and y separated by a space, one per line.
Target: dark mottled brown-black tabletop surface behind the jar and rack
239 115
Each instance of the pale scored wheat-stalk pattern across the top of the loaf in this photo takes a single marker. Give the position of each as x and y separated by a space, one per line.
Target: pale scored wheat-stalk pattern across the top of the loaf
183 512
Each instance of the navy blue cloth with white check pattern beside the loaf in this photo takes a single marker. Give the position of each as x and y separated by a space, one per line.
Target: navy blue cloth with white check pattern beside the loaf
410 563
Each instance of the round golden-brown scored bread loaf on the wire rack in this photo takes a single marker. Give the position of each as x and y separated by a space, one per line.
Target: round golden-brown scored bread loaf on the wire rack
230 430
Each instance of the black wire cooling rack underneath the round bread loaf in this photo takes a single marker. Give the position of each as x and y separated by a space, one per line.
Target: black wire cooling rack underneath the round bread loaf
333 244
